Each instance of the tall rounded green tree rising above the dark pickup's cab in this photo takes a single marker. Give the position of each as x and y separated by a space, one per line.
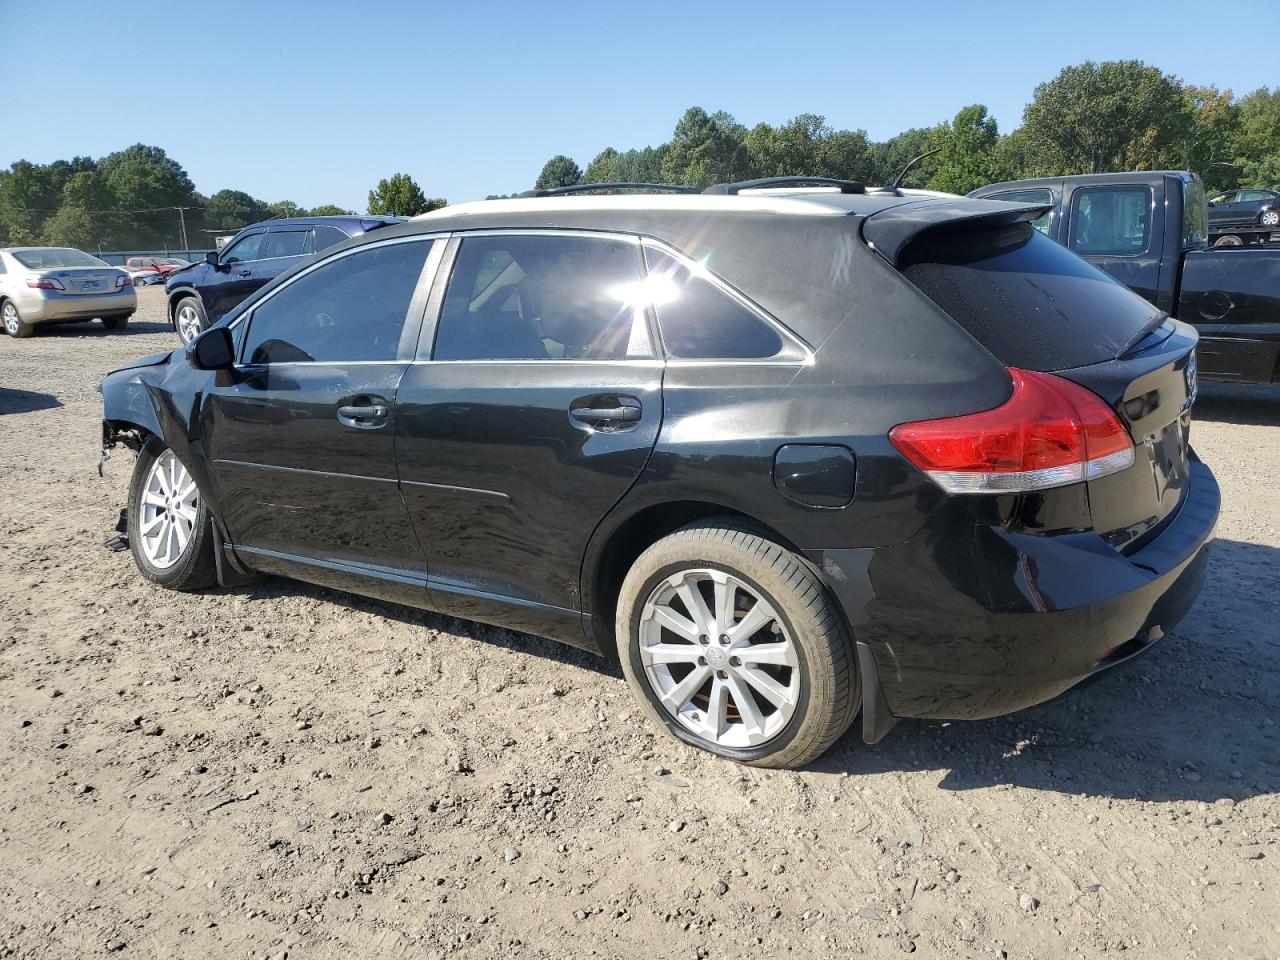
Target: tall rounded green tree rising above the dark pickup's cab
1116 116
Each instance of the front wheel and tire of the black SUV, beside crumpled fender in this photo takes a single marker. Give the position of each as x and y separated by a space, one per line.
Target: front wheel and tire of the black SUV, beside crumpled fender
171 533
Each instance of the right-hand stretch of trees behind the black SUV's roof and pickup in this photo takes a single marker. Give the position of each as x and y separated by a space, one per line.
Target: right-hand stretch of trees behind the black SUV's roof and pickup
1091 118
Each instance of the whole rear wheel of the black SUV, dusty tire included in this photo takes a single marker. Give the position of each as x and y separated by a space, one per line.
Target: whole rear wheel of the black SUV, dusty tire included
732 644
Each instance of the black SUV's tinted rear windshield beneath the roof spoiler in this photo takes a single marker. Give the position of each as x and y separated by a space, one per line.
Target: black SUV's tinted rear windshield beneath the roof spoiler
1031 303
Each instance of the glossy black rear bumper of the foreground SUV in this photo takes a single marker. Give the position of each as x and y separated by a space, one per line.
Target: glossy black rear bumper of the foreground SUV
967 630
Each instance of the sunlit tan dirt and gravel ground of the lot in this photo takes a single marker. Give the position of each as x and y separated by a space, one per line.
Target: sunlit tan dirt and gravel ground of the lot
285 770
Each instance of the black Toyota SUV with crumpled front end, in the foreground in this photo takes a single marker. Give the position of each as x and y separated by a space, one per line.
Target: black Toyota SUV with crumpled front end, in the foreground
785 454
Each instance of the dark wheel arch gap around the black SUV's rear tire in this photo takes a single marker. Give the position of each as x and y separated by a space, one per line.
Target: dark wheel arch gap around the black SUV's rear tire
612 552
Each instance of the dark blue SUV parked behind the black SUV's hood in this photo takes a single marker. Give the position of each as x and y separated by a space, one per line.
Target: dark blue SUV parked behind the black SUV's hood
204 292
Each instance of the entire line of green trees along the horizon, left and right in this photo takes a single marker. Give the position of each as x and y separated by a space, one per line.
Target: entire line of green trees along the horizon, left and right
1090 118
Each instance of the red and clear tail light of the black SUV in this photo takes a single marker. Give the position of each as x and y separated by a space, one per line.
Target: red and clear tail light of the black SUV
1049 433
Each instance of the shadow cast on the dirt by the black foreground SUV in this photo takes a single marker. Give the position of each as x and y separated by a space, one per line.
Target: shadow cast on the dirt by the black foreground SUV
1195 720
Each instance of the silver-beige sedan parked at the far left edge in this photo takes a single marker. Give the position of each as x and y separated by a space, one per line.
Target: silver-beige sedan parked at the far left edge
56 285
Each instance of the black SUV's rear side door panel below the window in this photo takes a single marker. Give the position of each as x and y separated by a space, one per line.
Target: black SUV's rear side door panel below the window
490 456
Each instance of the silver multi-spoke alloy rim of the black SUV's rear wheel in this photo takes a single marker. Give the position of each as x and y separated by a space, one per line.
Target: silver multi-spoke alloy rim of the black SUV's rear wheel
720 659
